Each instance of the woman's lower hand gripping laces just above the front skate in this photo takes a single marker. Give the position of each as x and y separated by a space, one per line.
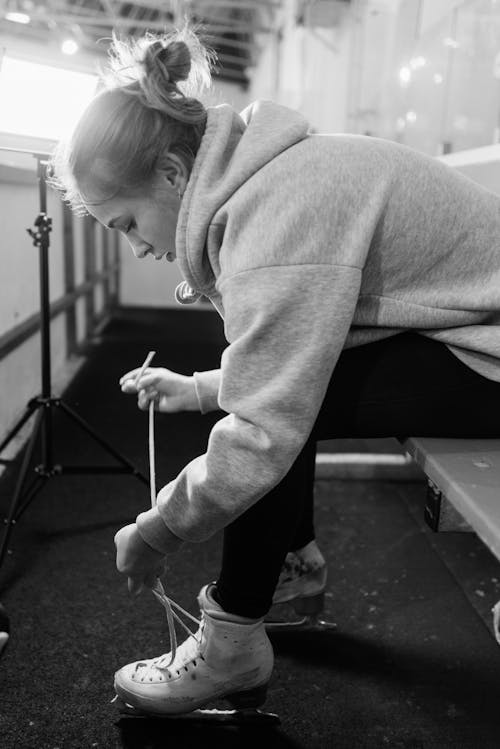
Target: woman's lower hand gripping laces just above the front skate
136 559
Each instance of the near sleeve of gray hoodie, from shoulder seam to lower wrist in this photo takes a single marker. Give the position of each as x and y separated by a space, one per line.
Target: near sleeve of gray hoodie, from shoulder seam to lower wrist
286 326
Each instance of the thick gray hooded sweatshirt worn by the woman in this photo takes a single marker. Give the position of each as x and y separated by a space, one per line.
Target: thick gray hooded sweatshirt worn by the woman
308 244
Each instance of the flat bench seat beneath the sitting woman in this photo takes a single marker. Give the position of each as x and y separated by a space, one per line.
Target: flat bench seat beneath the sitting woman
467 472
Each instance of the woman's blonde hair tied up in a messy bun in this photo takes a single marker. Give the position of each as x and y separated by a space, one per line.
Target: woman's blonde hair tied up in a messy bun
150 105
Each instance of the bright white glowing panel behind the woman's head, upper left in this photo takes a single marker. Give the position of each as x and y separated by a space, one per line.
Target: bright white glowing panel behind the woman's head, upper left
40 100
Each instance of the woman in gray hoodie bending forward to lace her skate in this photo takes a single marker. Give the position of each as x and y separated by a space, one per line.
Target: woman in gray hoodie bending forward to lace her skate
359 283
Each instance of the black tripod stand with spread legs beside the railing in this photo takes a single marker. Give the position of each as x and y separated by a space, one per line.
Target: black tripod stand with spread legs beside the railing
42 405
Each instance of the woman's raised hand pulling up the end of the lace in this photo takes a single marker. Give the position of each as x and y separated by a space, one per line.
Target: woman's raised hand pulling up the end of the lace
170 391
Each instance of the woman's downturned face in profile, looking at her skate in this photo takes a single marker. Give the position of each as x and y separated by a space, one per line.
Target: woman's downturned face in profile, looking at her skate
148 221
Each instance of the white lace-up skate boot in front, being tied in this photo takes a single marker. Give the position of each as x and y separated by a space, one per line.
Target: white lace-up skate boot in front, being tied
228 657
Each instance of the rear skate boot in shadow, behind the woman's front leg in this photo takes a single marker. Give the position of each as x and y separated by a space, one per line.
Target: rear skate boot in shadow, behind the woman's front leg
302 584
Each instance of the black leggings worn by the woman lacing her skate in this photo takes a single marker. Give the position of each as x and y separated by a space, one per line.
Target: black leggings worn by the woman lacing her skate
407 385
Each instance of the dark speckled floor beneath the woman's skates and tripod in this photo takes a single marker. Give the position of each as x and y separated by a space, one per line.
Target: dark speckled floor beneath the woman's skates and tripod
411 663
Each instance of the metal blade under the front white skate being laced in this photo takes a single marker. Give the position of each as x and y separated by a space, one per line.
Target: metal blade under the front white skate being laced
243 716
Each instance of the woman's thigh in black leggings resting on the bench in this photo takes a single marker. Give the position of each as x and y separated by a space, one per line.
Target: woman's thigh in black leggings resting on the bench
404 386
